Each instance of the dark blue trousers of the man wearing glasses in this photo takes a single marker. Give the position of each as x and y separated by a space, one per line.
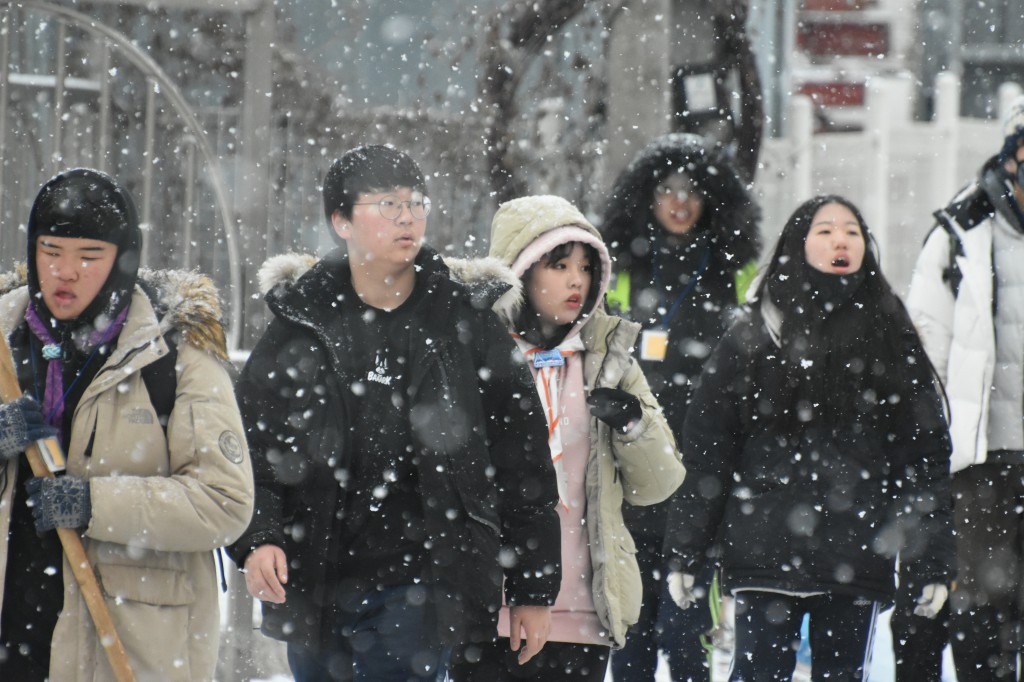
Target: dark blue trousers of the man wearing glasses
386 636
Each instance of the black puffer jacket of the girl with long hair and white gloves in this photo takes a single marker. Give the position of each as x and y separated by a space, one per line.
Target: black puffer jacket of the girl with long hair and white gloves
820 510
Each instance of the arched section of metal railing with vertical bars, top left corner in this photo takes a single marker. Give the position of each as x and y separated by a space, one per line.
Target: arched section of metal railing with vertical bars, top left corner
74 93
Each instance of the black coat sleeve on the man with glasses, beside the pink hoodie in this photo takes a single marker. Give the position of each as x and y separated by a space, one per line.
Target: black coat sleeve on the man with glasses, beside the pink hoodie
525 478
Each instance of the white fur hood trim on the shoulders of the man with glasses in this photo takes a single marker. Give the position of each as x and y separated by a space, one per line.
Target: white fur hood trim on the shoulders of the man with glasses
488 280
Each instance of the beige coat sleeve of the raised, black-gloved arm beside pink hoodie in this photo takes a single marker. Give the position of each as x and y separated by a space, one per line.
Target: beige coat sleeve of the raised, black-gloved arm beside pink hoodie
647 455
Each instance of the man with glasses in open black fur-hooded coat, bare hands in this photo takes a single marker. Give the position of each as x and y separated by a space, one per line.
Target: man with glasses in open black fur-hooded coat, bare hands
403 473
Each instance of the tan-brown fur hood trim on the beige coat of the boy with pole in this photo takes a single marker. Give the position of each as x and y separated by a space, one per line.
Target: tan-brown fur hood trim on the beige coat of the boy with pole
186 303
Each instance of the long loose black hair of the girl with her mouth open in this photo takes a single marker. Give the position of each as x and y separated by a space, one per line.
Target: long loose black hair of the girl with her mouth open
843 365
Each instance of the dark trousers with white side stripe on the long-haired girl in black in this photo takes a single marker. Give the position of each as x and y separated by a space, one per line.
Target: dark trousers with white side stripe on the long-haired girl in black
769 636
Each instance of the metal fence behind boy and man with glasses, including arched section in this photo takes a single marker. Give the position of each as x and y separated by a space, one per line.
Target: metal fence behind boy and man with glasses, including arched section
74 92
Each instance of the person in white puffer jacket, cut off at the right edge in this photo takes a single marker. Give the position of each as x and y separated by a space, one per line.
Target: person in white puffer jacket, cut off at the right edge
967 300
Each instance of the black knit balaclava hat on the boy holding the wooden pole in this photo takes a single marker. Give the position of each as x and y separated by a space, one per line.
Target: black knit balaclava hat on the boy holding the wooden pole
83 203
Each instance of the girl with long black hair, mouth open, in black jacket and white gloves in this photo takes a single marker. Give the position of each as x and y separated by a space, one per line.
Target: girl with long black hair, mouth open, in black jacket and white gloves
818 451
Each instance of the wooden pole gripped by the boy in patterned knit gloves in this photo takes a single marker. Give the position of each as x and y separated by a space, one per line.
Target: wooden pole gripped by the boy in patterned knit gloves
74 550
